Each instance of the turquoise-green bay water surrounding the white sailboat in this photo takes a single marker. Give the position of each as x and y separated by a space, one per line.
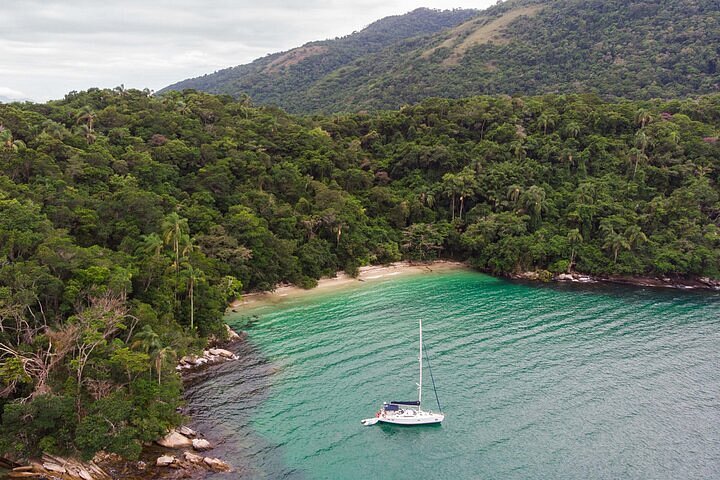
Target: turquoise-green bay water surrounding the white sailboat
536 381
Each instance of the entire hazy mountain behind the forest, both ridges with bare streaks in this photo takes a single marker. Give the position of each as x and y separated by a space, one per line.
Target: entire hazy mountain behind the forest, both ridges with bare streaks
614 48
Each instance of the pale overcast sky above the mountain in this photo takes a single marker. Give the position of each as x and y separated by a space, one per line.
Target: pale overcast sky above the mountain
50 47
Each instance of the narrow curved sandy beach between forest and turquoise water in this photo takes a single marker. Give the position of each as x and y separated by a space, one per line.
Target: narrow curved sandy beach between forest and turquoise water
343 280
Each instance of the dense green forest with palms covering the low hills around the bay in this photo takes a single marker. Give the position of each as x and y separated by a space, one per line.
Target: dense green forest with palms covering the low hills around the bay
129 221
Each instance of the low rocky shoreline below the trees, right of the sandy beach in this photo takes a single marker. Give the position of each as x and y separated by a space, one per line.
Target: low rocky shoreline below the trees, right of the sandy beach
702 283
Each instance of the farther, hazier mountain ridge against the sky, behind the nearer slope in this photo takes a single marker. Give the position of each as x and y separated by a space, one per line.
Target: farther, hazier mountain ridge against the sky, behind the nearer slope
274 78
